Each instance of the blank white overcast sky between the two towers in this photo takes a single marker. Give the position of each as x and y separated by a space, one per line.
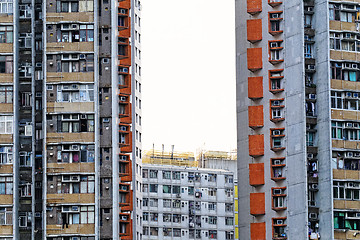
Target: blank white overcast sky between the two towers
188 74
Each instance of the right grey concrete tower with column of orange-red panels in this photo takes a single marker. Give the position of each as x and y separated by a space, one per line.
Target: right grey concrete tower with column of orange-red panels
298 126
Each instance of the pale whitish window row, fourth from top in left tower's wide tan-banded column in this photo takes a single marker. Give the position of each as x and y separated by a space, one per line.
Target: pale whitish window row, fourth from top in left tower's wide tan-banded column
75 93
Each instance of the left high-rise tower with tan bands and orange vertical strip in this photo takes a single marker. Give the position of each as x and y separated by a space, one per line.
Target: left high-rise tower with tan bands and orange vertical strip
70 119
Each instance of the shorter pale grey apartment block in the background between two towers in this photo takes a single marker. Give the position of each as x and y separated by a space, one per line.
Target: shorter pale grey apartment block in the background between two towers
187 203
